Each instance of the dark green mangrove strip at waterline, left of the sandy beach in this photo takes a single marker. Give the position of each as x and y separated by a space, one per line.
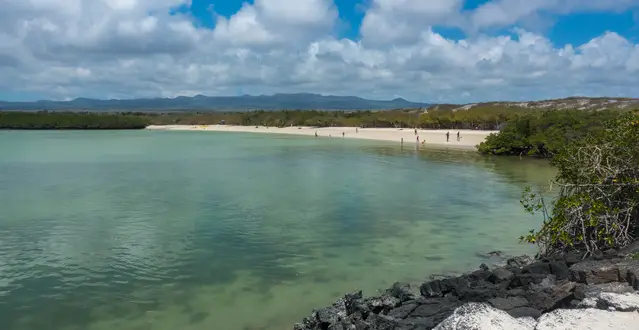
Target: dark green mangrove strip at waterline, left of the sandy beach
70 120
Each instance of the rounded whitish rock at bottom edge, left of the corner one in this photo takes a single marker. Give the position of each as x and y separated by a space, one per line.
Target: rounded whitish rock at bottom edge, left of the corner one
482 317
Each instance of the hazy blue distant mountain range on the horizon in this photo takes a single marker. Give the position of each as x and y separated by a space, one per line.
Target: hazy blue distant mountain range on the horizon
303 101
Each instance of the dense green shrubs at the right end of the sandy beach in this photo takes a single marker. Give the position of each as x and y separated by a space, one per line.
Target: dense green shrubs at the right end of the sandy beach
544 133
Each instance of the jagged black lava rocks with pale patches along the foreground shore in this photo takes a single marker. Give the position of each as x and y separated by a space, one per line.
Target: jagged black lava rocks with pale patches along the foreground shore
517 293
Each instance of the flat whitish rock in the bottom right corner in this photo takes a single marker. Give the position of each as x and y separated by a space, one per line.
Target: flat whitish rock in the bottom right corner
588 319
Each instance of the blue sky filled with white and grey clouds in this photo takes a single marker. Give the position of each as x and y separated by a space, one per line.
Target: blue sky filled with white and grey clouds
454 51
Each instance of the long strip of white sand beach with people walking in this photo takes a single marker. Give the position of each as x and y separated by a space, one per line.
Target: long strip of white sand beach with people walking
434 138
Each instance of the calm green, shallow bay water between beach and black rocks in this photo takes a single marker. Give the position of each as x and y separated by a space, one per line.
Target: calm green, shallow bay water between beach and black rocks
200 230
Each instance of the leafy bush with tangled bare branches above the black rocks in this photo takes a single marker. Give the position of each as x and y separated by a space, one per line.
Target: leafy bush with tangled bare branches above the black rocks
597 207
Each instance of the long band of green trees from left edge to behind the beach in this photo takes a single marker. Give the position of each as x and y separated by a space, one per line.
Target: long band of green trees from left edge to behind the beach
481 117
